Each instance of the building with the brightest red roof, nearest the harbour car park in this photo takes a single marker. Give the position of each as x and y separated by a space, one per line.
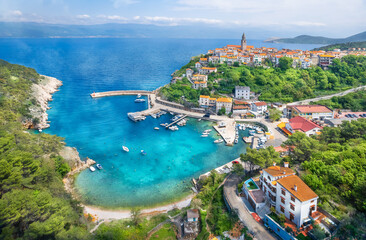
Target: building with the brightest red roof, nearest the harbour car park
302 125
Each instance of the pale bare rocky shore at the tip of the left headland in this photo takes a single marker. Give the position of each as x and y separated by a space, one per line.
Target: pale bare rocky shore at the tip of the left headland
42 92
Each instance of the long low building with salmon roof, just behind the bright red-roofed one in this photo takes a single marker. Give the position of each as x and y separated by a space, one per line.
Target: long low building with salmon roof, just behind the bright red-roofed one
309 112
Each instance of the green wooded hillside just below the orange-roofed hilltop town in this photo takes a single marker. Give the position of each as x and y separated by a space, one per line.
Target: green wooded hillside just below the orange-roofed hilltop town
274 84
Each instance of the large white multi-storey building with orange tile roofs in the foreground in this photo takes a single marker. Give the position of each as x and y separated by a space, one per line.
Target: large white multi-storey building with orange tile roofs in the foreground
288 193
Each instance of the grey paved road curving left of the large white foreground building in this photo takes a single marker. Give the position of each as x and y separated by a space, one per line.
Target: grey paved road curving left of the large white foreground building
258 230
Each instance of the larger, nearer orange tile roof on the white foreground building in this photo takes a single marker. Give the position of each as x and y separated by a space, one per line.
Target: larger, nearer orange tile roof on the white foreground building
303 192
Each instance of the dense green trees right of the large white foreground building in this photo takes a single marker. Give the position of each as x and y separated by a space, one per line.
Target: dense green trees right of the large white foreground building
334 166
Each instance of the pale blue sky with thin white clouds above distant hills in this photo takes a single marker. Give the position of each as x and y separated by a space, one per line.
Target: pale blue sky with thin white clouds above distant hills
332 18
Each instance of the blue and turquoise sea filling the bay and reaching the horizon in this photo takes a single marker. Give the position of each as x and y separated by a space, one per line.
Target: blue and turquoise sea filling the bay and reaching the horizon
99 127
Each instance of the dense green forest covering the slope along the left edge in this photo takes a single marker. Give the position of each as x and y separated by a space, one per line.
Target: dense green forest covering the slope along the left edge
33 202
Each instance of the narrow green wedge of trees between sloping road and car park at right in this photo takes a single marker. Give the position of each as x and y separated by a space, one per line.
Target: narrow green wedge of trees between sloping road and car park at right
355 101
